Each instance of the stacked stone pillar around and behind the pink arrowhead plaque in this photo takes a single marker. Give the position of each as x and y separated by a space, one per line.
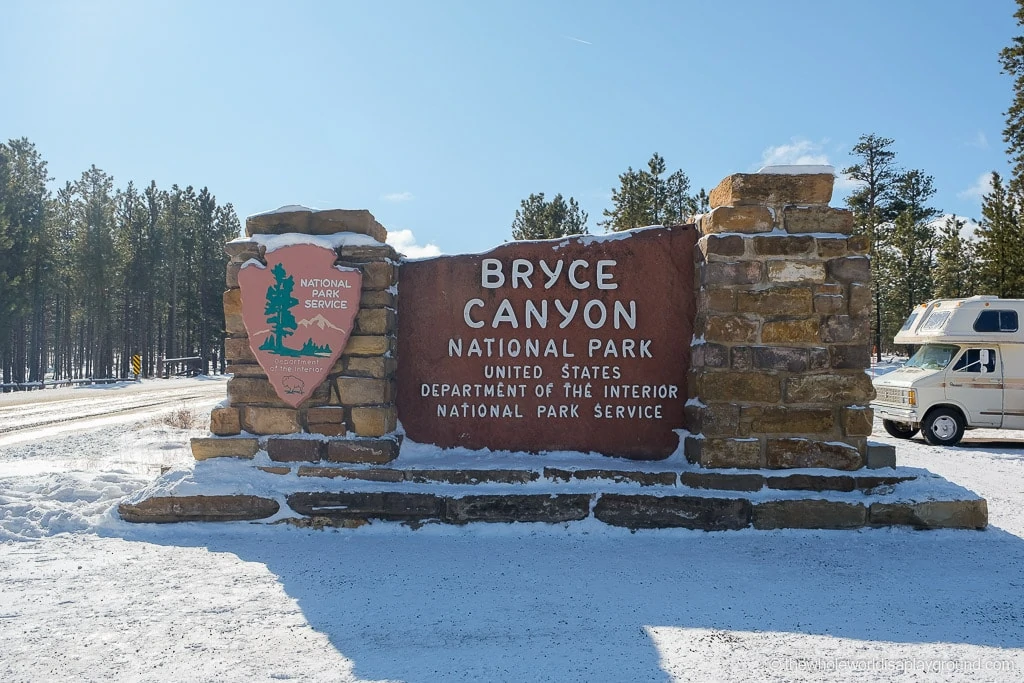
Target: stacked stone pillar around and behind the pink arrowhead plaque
358 397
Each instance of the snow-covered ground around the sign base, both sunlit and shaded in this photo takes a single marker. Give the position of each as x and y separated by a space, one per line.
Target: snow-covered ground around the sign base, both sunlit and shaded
84 596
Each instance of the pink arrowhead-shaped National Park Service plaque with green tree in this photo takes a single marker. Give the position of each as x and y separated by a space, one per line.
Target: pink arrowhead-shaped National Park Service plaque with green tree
300 311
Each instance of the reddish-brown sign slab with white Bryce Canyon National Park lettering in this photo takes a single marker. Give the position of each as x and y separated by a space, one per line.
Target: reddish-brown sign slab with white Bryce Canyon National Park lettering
580 345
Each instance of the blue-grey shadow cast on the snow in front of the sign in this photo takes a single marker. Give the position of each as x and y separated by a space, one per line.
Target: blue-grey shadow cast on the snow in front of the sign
508 602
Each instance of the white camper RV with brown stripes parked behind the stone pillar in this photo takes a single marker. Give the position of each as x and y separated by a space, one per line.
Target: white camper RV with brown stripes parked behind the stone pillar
969 371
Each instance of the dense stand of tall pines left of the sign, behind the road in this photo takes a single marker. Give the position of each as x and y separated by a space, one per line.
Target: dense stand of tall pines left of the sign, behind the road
94 275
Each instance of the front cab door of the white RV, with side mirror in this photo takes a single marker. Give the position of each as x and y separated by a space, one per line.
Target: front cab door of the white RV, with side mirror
975 381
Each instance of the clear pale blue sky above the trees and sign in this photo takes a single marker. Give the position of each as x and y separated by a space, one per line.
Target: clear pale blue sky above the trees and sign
441 116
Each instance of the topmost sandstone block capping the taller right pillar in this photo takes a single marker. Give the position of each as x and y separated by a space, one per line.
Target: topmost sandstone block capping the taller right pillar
769 189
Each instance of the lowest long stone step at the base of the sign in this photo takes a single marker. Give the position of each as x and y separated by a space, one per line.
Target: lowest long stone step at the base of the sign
633 511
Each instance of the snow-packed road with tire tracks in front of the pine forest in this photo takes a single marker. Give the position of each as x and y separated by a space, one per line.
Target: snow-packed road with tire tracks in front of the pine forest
29 416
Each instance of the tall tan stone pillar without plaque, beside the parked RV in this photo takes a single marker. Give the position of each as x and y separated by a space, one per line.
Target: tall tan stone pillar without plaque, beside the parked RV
783 329
